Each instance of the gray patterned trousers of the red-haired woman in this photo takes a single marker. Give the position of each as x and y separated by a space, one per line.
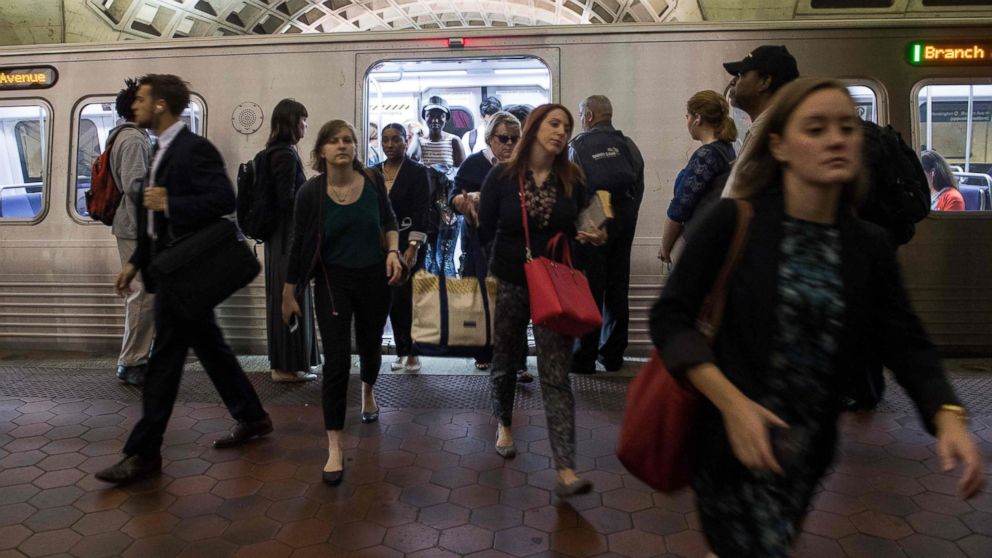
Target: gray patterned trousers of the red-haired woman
554 360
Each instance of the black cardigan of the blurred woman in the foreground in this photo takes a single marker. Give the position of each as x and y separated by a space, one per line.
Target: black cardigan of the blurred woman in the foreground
878 317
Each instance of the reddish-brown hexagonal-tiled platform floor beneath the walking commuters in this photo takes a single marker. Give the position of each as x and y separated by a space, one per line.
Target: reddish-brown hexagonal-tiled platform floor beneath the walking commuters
423 481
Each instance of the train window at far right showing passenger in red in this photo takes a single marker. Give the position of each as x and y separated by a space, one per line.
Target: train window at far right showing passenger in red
954 120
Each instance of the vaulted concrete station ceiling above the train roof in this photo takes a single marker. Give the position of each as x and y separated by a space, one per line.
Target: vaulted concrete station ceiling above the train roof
57 21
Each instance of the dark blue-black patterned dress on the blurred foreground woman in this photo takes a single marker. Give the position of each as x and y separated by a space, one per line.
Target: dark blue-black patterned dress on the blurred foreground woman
759 514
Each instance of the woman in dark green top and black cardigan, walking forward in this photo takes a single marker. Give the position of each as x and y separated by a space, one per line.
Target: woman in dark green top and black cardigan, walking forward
344 236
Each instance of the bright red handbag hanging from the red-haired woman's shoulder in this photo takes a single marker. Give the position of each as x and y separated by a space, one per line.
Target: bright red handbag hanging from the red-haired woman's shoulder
560 297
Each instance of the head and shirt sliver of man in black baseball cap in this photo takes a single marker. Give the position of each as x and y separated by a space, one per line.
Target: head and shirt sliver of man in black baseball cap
756 79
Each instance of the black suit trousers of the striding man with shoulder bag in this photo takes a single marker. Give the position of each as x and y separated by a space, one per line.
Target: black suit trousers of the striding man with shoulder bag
174 336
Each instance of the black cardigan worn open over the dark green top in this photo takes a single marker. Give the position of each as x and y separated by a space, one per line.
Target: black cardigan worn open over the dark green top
310 200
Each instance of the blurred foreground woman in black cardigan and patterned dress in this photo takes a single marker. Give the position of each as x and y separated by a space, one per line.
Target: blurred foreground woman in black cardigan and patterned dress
815 291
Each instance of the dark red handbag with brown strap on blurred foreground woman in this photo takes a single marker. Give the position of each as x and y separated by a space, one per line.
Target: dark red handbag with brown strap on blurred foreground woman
655 442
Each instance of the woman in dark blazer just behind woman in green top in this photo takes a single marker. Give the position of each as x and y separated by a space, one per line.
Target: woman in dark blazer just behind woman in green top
409 194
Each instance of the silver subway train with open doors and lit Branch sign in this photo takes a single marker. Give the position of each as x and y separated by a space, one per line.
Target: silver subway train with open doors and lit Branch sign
56 107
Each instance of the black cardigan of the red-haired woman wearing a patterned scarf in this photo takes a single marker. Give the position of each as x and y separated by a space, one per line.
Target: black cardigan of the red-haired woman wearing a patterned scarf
500 219
